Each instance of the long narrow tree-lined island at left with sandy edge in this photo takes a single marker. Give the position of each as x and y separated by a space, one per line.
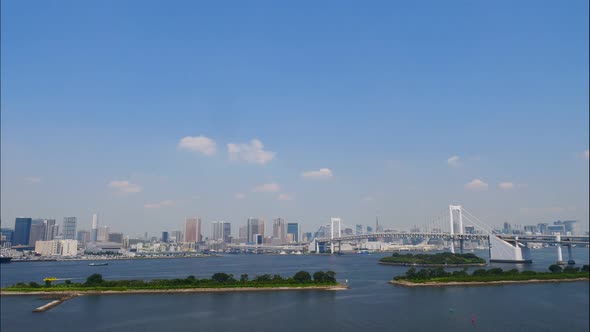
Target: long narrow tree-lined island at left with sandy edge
95 284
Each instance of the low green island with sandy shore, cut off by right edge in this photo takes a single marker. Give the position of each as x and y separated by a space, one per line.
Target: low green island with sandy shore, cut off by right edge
439 277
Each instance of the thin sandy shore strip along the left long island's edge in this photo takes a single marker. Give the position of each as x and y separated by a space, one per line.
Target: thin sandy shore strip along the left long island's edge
176 291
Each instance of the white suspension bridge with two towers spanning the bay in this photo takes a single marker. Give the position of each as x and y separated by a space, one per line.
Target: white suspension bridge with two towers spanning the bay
455 226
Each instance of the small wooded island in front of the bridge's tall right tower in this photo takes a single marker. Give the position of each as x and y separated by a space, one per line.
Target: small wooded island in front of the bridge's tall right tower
444 259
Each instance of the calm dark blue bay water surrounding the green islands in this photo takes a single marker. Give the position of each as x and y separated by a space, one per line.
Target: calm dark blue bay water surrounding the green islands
370 304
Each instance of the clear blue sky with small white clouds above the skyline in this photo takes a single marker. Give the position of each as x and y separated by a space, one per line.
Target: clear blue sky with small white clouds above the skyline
404 104
